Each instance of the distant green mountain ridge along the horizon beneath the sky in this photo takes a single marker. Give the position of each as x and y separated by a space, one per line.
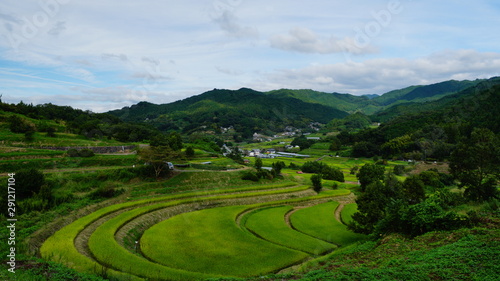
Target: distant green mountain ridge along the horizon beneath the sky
249 111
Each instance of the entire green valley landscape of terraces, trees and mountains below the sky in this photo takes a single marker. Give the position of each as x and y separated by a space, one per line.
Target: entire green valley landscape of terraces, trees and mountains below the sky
398 187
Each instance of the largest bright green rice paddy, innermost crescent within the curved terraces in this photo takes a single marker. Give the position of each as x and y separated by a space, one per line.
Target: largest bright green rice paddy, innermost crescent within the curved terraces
209 241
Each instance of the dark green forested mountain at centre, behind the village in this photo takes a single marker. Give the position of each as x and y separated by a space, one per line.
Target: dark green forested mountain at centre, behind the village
246 110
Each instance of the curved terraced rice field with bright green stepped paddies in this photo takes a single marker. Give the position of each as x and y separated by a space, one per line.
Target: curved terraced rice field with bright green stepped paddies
237 232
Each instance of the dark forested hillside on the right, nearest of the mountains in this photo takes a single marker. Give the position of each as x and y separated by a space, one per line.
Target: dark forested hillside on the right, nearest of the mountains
431 129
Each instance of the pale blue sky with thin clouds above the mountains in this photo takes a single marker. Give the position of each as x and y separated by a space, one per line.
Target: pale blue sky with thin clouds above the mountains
103 55
